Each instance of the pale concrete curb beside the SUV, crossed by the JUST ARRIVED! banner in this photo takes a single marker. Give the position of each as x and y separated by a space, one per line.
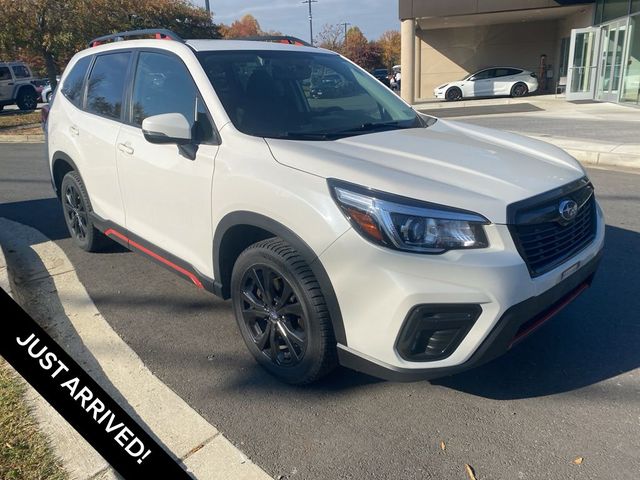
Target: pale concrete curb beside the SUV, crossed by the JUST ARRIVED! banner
45 284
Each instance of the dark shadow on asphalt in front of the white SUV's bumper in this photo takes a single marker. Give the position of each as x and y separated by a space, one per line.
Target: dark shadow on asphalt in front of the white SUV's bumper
594 339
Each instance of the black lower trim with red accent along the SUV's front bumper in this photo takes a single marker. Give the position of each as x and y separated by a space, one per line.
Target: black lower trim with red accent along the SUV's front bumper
508 330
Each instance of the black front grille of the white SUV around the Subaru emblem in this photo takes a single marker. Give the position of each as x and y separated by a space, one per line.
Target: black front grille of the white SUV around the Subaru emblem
545 240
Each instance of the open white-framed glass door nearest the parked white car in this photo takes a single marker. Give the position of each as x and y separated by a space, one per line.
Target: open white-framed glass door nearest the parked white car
583 63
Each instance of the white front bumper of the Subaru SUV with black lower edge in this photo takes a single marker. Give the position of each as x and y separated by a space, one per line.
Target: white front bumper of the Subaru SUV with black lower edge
377 288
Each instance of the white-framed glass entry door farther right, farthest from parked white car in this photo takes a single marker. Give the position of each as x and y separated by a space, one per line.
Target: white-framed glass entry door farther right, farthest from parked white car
611 60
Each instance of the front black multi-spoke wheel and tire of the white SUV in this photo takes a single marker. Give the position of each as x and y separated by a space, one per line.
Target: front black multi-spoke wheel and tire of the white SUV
282 313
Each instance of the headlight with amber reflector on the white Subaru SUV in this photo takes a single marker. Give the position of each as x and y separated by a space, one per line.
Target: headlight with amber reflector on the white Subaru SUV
409 225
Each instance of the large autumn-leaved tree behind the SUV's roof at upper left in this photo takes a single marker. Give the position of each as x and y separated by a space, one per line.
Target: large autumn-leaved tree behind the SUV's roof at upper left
53 30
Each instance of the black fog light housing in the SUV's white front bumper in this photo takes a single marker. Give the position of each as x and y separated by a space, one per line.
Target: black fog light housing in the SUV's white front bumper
433 332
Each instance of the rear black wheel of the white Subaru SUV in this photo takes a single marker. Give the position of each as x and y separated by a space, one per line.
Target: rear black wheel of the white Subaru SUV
76 208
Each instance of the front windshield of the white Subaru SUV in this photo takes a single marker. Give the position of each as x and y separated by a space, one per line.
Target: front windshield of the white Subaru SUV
302 95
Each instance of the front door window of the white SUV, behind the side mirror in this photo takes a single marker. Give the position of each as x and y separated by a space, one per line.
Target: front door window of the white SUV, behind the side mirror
162 85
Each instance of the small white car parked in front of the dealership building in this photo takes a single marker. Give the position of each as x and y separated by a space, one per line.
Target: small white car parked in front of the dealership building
490 82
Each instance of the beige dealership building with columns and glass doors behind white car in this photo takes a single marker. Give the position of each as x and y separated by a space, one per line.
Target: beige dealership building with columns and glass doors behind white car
588 49
